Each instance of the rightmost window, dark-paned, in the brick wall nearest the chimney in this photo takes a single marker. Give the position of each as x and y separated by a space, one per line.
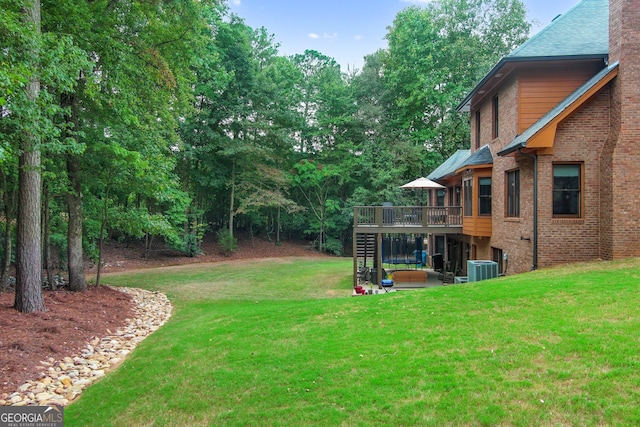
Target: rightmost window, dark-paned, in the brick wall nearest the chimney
567 185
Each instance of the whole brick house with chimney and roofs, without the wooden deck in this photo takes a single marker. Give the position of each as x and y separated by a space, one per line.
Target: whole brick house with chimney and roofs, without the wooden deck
553 170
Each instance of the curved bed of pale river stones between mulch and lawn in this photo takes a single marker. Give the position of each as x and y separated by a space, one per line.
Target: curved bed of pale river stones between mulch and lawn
64 380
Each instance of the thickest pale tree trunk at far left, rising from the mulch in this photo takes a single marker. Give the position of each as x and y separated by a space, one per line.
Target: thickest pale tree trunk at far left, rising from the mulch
28 296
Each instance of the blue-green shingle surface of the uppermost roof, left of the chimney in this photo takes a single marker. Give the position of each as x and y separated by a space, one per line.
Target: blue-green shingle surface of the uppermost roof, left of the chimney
581 31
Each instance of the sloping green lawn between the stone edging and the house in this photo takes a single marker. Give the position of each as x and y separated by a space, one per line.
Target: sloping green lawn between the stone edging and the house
280 343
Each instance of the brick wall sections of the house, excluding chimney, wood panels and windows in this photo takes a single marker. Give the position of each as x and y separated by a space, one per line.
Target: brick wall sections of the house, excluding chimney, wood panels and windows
581 138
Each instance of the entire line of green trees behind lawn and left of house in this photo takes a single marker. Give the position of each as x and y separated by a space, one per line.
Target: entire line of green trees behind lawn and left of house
165 120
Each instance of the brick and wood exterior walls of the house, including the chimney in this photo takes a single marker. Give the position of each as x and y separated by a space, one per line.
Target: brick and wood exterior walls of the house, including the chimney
602 135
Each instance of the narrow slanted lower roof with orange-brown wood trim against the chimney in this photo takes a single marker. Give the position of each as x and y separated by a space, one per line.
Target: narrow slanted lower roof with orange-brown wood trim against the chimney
562 110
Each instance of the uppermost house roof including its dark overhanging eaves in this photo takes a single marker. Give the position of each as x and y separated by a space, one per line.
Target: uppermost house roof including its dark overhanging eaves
580 33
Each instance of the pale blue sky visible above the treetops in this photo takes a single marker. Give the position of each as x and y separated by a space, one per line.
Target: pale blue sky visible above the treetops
347 30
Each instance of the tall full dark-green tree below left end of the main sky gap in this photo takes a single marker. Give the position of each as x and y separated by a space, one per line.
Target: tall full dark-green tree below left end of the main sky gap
235 144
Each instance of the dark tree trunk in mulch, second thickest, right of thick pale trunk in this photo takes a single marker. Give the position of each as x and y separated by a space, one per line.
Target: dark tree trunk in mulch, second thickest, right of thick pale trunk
77 280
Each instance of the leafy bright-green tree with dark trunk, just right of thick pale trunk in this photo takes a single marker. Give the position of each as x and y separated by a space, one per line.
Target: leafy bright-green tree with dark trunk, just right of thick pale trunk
140 76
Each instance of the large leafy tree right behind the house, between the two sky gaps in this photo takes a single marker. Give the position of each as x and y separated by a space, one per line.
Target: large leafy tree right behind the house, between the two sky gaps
436 54
